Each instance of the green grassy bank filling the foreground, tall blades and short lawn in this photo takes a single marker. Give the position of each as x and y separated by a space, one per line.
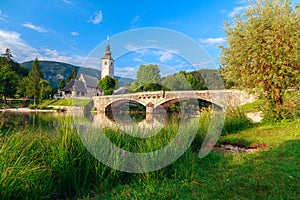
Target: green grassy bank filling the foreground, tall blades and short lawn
35 165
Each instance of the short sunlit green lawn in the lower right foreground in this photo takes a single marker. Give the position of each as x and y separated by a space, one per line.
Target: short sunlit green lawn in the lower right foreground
271 173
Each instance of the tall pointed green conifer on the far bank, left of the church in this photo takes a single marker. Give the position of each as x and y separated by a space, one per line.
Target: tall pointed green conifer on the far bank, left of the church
33 81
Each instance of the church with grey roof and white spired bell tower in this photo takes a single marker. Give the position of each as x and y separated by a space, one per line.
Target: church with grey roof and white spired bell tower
87 86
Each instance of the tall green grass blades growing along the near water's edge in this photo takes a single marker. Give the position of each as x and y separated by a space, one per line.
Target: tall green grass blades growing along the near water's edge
38 164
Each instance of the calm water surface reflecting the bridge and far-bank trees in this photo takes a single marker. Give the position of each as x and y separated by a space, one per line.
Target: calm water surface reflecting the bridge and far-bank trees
125 121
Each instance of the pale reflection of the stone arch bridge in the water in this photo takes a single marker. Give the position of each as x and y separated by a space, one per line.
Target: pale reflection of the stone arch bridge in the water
126 120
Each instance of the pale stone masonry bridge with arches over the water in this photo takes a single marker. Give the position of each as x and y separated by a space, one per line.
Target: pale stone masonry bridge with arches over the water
152 100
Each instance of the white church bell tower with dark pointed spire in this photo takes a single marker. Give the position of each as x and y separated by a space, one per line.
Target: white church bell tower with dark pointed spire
107 67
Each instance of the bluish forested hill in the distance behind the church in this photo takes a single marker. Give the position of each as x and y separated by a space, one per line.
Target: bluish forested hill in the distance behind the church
54 71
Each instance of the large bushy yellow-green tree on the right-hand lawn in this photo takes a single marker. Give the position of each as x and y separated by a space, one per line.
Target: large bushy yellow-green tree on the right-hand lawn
263 51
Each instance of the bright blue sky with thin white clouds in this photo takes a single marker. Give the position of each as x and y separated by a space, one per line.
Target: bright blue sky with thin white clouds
70 30
